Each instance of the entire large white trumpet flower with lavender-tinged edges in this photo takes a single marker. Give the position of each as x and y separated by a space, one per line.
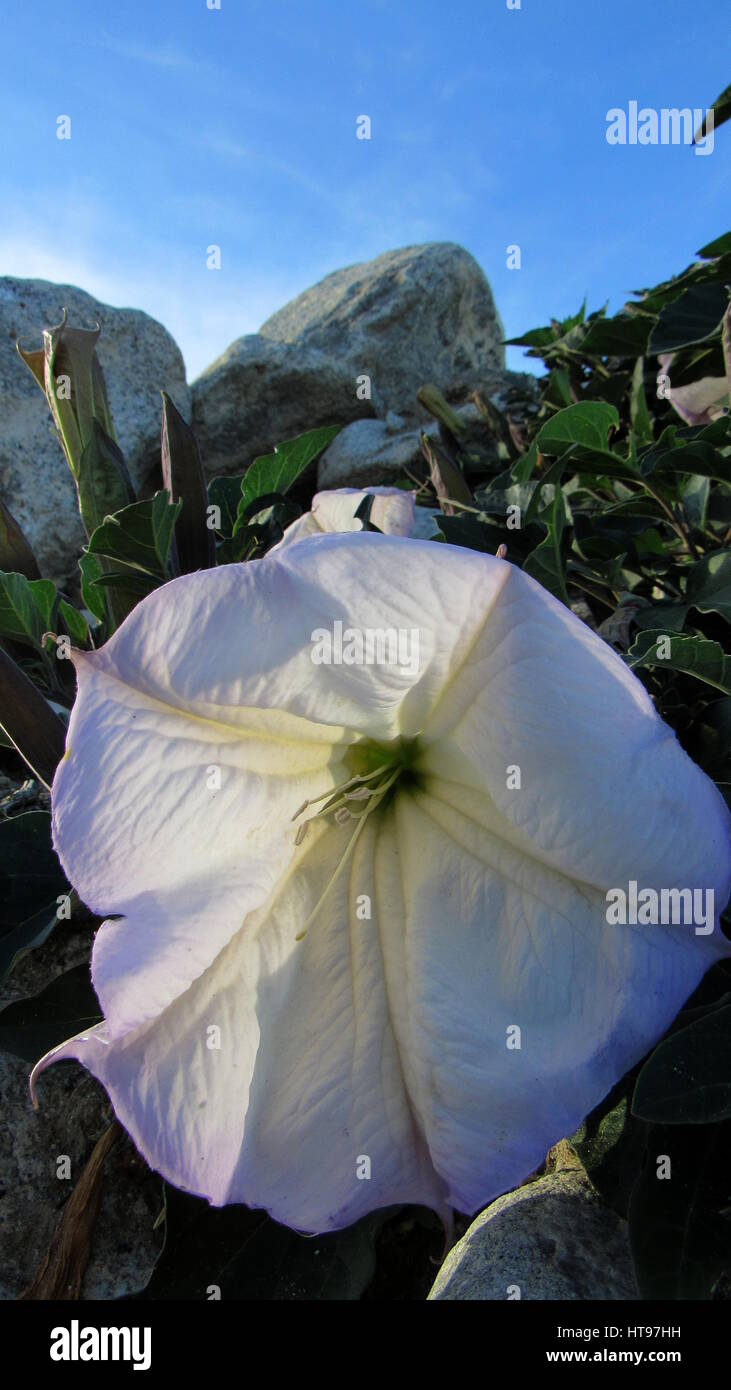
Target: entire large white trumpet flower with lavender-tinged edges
354 812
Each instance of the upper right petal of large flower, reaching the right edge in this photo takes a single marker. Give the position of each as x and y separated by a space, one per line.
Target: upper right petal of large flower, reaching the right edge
607 793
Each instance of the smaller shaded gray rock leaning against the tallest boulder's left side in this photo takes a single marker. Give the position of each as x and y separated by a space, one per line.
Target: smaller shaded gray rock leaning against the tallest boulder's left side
262 393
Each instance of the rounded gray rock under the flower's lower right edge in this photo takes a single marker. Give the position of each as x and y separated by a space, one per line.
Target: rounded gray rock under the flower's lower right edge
551 1239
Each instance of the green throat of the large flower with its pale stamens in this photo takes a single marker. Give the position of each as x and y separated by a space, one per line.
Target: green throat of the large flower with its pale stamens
376 769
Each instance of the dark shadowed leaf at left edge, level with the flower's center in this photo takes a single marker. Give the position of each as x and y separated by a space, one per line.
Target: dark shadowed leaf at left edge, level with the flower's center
31 881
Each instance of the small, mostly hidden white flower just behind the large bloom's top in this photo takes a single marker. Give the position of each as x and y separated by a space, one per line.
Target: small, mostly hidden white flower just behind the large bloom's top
394 512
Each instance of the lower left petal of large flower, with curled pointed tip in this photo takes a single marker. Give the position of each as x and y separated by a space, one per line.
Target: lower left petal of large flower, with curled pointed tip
304 1081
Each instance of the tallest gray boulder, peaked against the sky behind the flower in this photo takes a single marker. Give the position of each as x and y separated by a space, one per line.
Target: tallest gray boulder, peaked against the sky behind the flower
422 315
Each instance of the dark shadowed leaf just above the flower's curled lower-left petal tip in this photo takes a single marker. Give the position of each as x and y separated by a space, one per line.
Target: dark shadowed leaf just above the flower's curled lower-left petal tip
33 1027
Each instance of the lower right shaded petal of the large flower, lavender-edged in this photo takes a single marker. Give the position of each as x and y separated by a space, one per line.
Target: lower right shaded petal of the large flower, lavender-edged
495 940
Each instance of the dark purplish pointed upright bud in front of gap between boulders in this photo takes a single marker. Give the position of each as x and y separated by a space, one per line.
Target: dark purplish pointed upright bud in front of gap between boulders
183 476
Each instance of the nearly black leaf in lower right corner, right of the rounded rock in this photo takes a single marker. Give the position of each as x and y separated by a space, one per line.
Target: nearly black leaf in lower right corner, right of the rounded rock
679 1225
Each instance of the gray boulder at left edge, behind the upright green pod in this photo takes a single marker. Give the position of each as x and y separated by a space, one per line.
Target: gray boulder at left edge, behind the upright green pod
140 359
